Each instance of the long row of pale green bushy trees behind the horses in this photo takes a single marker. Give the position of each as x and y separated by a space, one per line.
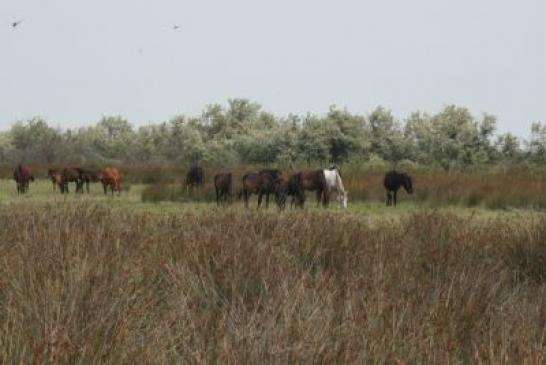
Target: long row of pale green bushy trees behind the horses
242 132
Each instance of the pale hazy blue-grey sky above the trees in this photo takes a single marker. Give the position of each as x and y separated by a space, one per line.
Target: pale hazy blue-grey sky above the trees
72 61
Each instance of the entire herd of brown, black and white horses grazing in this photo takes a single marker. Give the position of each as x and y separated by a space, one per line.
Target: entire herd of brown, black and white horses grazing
264 183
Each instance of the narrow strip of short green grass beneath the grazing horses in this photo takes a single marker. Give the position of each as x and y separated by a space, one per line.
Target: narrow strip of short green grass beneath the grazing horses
41 194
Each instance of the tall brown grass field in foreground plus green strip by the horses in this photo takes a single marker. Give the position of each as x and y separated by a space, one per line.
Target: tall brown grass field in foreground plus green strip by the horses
95 279
